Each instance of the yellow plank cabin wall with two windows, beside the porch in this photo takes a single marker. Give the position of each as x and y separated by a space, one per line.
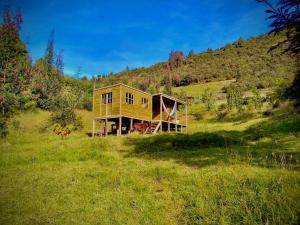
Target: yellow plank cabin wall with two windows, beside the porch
136 109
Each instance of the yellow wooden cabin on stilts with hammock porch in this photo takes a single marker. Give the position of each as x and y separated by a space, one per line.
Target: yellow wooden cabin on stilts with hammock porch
123 109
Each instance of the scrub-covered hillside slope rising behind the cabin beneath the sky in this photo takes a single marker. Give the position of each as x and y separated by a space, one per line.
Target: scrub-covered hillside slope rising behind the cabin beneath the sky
248 61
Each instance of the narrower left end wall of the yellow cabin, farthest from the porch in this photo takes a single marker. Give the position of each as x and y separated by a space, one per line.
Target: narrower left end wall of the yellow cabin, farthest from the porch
113 108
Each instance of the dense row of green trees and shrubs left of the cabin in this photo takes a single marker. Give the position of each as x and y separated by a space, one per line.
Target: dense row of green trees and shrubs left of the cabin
26 85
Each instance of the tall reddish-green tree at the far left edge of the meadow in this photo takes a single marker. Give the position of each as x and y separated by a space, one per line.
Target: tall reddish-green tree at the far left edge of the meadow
14 65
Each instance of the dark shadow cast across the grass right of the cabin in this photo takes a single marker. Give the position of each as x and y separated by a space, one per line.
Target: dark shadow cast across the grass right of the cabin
268 144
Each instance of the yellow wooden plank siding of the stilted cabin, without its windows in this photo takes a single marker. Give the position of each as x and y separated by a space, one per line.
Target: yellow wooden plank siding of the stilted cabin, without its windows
119 106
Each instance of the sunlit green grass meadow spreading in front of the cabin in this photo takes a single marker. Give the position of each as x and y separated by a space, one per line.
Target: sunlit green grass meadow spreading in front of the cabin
218 173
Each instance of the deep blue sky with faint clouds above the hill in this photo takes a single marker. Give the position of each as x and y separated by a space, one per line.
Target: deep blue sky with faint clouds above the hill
106 36
